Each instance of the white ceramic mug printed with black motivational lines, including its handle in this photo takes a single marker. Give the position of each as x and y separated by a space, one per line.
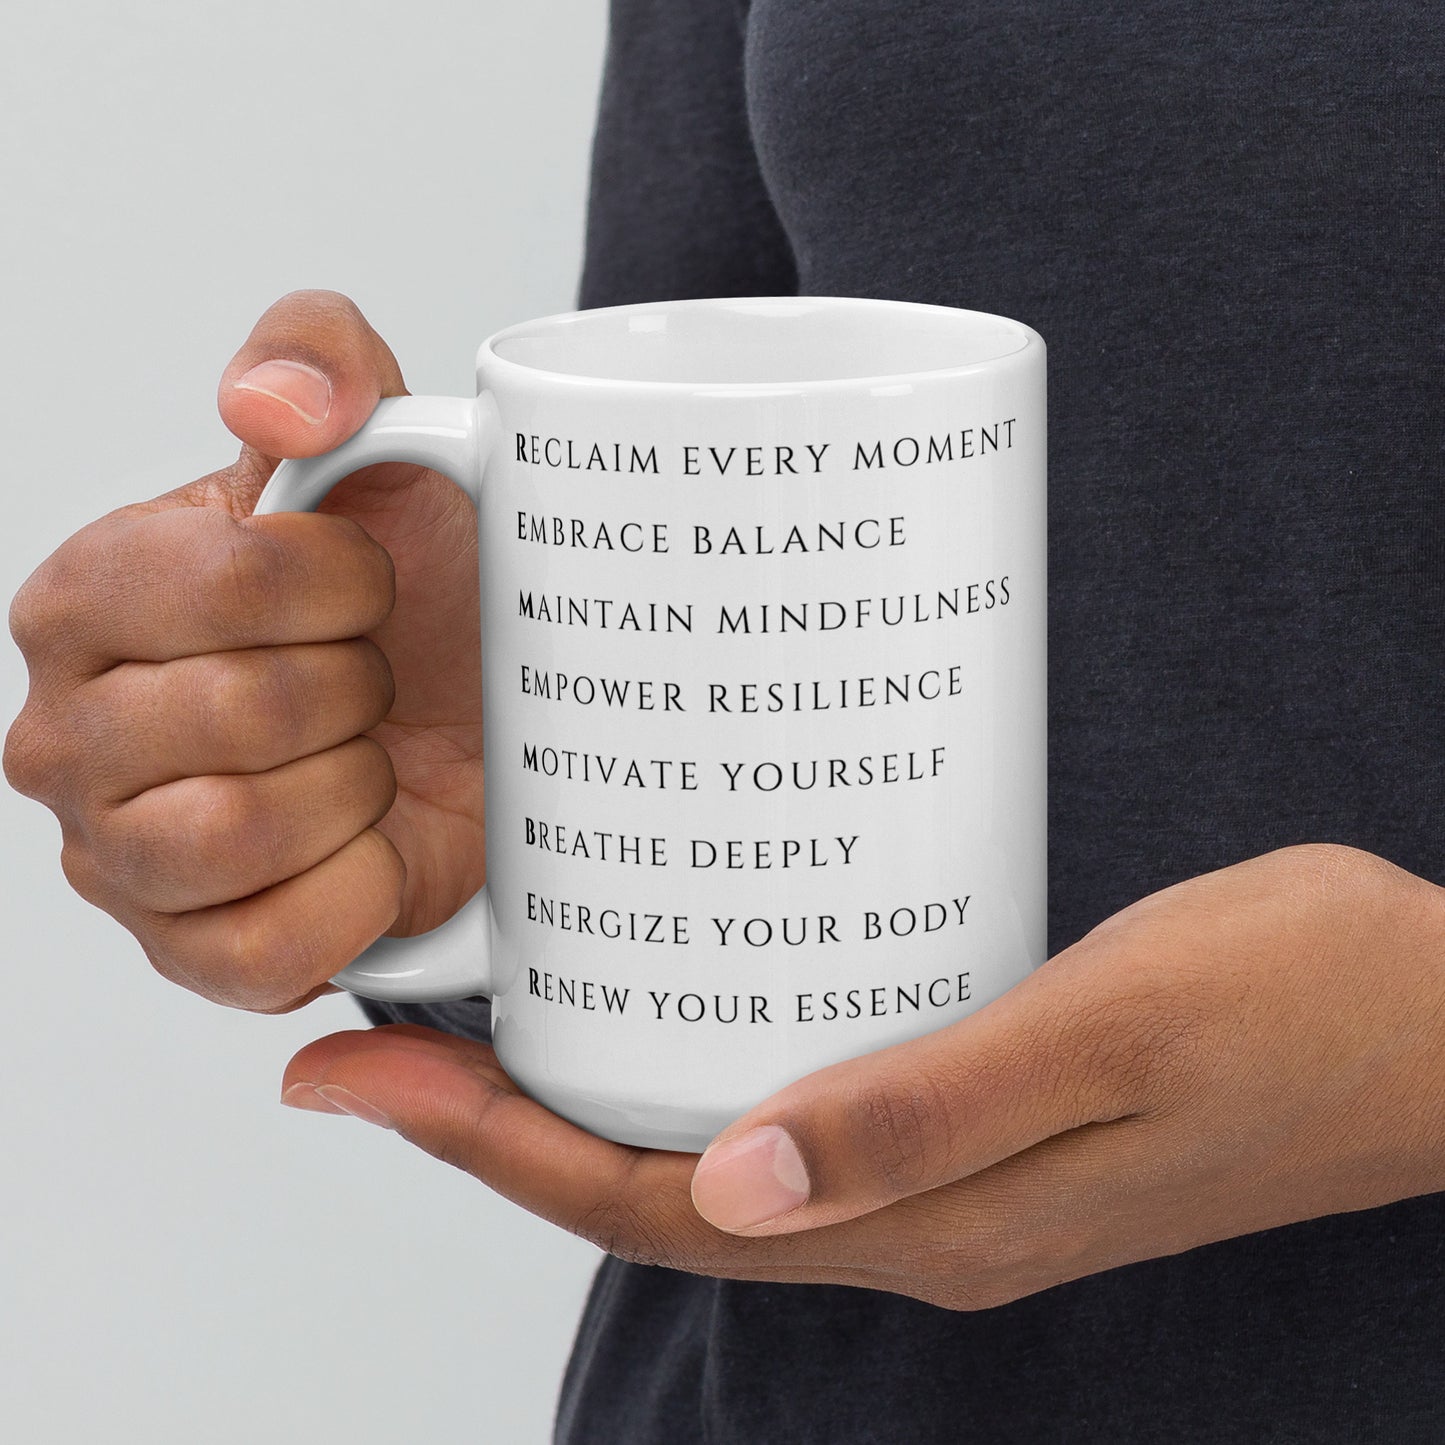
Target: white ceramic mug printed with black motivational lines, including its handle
764 667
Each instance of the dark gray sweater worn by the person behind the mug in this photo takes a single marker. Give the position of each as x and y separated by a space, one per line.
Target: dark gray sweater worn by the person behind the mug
1228 222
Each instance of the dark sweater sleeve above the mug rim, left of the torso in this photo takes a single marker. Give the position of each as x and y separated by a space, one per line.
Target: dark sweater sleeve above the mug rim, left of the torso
676 209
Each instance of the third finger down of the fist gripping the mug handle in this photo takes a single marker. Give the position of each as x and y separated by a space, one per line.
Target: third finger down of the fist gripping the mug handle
202 842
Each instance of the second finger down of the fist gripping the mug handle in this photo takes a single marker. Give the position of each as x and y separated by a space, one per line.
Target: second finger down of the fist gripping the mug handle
242 712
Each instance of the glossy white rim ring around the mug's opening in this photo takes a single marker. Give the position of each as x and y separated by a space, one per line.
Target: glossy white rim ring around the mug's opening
489 358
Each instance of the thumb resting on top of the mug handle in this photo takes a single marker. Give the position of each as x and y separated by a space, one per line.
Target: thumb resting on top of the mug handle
309 376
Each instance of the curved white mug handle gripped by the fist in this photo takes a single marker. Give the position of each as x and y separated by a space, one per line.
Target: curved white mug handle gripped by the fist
450 436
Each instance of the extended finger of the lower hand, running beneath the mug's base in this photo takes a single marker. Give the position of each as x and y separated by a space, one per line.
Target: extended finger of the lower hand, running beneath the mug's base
452 1097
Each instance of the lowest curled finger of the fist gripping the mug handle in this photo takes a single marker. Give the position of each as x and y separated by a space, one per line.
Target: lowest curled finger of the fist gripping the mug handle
275 950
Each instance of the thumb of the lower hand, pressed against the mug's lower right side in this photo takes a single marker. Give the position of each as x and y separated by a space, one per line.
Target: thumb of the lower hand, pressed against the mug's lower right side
1048 1056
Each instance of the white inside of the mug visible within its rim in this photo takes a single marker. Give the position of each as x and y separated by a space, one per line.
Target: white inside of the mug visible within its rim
759 340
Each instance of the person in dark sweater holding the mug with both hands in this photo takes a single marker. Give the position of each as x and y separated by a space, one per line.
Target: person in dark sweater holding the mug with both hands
1186 1176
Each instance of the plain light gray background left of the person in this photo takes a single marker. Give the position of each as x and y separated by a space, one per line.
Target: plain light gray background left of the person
183 1259
